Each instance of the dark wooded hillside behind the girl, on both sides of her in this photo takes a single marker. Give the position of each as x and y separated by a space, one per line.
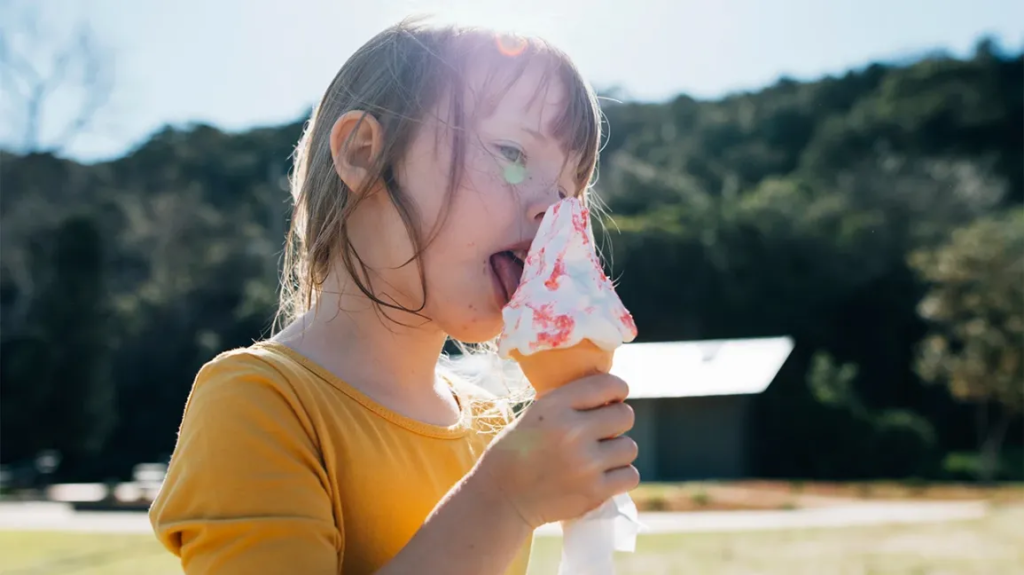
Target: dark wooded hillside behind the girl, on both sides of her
816 210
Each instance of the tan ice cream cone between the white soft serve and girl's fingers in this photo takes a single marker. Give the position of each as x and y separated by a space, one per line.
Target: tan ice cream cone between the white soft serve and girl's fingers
549 370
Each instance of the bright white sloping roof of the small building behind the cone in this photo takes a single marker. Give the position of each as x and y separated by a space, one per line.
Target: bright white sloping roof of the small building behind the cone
701 369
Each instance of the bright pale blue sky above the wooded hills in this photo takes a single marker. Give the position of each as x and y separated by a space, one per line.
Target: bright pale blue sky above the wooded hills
242 64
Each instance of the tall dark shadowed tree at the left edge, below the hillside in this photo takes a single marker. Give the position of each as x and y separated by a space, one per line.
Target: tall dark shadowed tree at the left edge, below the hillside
59 392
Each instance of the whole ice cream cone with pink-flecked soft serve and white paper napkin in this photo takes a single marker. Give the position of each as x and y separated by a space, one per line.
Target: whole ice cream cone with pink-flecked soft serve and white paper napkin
564 323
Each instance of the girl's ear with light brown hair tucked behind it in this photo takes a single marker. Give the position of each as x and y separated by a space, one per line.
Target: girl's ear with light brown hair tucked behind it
357 141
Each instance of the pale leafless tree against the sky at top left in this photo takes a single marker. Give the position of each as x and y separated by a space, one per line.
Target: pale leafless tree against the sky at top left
54 89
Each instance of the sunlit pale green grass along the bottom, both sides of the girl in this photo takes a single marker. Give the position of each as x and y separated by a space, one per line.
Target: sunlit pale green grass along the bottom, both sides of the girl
993 546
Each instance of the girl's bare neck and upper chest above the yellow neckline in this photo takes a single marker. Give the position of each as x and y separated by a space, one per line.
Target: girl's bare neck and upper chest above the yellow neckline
395 365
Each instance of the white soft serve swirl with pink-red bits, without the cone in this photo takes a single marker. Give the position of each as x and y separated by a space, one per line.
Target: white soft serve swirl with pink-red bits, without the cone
564 296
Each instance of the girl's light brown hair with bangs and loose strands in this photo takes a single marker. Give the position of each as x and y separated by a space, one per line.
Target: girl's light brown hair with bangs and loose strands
399 77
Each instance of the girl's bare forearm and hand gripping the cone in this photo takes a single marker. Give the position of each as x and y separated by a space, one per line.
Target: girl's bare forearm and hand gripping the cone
565 457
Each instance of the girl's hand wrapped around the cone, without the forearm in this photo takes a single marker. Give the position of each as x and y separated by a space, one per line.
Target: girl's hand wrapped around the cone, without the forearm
566 455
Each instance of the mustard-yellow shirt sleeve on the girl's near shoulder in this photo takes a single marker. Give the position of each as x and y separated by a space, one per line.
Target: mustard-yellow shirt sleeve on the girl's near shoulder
246 492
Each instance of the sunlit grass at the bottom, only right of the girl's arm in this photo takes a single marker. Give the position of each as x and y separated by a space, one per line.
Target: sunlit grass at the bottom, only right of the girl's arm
990 547
